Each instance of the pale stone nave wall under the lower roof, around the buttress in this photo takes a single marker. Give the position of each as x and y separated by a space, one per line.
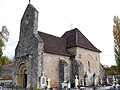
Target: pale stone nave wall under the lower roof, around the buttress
51 67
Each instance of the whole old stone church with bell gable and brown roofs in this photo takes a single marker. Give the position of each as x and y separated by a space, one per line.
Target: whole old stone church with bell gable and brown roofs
59 59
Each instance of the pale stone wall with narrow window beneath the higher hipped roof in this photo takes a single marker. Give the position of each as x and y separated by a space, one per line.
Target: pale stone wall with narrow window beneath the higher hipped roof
90 61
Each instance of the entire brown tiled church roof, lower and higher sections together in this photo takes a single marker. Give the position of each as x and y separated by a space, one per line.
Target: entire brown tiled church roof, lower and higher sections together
72 38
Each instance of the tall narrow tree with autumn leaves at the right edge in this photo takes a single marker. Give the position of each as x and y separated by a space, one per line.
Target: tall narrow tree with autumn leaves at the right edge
116 34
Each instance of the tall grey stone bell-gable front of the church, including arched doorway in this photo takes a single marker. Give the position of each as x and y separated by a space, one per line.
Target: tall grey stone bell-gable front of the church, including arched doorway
26 52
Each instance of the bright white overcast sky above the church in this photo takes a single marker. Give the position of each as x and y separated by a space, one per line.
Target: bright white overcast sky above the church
94 18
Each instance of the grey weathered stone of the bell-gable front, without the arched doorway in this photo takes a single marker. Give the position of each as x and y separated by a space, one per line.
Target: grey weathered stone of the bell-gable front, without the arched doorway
29 42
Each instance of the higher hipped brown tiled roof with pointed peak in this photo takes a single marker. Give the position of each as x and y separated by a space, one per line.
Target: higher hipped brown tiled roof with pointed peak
74 38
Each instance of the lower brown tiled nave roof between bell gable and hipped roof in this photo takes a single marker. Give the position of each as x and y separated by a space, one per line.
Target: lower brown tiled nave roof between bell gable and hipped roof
53 44
